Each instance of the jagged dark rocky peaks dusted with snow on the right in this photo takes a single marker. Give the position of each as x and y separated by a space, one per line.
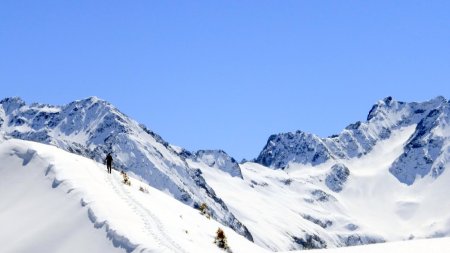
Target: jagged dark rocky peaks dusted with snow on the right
425 151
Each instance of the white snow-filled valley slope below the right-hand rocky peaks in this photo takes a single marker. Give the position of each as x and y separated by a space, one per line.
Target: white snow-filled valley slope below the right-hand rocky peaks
296 209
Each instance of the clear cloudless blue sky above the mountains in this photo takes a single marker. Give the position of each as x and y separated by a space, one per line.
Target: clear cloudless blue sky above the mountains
227 74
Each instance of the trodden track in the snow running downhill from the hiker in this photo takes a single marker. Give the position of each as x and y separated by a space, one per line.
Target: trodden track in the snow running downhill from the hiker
153 226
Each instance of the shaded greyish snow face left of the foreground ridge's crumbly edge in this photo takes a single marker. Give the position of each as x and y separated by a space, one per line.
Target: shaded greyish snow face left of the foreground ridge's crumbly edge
36 218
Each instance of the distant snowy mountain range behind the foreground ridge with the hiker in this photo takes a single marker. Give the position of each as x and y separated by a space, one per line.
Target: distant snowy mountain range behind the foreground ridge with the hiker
384 179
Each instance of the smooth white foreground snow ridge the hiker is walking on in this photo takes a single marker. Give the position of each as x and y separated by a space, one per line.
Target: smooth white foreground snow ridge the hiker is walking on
55 201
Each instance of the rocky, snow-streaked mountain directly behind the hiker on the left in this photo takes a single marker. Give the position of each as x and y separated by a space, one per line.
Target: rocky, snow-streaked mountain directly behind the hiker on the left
93 128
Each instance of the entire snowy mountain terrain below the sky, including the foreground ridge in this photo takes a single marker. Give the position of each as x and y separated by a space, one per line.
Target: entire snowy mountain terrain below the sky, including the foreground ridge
378 182
